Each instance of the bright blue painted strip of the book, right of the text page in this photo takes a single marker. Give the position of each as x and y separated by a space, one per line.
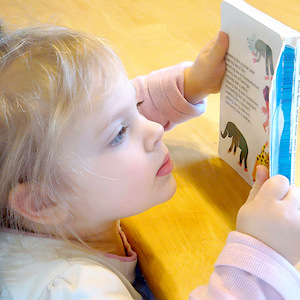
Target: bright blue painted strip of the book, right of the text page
283 121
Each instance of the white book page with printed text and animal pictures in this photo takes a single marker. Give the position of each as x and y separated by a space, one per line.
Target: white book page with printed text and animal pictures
251 61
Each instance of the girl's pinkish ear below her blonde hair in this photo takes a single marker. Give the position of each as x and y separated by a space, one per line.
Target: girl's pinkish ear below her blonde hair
39 209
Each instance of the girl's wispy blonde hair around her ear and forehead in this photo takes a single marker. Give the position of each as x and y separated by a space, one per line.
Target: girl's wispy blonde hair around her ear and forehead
45 74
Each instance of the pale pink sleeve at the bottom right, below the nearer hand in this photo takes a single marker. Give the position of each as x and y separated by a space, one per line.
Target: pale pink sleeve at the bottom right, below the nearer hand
250 270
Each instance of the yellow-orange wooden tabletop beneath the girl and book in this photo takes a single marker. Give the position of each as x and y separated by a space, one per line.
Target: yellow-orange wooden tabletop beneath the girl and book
177 242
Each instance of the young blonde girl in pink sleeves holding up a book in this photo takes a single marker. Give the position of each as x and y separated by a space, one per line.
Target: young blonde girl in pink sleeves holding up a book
78 154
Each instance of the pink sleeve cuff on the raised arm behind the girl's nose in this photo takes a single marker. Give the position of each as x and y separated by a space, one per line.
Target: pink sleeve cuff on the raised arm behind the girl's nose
163 95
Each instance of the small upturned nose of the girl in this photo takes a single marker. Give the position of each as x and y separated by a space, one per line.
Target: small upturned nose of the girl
153 134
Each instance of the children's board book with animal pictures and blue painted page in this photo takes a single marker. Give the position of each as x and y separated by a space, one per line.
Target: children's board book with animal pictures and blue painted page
260 92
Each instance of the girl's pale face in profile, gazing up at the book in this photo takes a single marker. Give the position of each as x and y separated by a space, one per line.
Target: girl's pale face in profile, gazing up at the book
120 164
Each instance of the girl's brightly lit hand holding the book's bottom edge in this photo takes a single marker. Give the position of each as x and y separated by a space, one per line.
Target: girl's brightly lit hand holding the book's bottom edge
271 214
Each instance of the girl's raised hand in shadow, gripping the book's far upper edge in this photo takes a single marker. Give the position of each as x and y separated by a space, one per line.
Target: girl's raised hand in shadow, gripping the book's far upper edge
205 75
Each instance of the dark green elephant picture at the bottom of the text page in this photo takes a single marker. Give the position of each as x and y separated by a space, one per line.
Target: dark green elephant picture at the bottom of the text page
238 140
